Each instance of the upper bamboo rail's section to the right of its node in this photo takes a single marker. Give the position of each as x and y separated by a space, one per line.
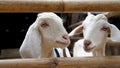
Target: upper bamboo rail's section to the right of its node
91 5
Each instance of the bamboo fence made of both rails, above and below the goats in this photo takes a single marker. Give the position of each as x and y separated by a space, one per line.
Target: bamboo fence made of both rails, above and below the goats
62 6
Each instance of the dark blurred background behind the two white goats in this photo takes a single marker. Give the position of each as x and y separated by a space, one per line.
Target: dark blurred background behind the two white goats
13 27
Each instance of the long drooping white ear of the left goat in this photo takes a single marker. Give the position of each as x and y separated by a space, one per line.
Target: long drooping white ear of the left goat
31 44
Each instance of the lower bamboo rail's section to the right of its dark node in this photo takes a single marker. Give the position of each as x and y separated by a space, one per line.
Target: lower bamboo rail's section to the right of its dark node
89 62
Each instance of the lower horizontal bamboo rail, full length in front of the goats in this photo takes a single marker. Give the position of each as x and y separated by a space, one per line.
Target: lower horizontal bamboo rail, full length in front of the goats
76 62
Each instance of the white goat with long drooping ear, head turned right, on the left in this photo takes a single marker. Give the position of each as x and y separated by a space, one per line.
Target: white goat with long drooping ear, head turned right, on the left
45 34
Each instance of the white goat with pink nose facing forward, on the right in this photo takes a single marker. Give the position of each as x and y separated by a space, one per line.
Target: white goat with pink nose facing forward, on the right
95 31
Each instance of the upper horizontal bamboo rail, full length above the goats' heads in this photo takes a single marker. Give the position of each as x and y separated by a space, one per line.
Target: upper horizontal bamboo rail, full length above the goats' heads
58 5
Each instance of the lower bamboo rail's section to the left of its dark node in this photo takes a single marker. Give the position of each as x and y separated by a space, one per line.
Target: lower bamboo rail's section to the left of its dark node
26 63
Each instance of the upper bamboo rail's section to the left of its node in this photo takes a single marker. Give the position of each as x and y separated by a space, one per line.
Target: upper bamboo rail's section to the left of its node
30 5
